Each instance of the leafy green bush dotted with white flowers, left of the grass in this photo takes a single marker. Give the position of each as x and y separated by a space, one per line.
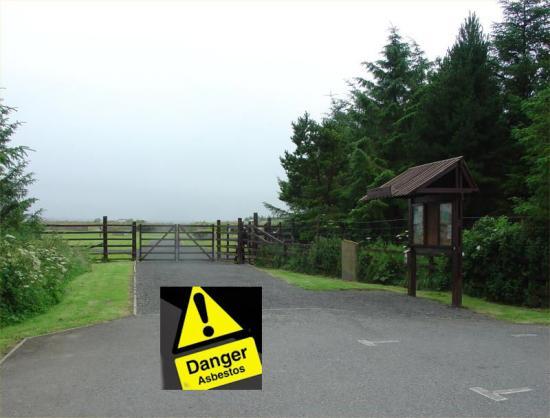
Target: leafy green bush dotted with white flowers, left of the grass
33 275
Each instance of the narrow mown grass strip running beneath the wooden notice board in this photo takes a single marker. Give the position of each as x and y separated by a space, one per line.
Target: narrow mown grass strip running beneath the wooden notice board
504 312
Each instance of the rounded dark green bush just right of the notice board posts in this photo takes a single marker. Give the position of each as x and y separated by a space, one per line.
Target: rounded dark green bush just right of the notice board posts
503 264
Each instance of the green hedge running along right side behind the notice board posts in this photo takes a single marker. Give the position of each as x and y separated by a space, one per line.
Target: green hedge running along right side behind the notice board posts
502 262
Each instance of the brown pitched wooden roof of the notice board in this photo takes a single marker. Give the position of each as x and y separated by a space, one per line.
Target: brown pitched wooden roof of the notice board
417 180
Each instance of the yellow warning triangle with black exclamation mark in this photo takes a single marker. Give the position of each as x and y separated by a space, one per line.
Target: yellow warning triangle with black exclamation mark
204 320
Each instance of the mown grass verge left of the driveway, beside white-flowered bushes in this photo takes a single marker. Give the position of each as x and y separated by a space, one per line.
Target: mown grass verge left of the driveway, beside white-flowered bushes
97 296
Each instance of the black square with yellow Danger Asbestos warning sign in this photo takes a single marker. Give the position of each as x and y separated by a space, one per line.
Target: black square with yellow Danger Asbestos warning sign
211 337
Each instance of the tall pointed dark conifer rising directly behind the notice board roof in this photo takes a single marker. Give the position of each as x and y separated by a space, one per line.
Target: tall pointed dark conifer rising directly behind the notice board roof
460 113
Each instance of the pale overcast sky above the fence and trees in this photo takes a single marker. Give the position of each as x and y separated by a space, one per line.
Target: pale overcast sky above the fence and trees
179 111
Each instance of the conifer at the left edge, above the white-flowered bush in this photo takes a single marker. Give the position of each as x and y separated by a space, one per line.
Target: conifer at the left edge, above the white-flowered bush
14 203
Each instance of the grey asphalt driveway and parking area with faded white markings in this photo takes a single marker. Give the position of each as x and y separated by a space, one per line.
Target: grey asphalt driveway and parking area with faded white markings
343 353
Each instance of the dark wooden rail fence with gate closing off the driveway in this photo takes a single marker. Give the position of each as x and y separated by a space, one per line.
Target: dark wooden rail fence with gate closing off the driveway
238 241
